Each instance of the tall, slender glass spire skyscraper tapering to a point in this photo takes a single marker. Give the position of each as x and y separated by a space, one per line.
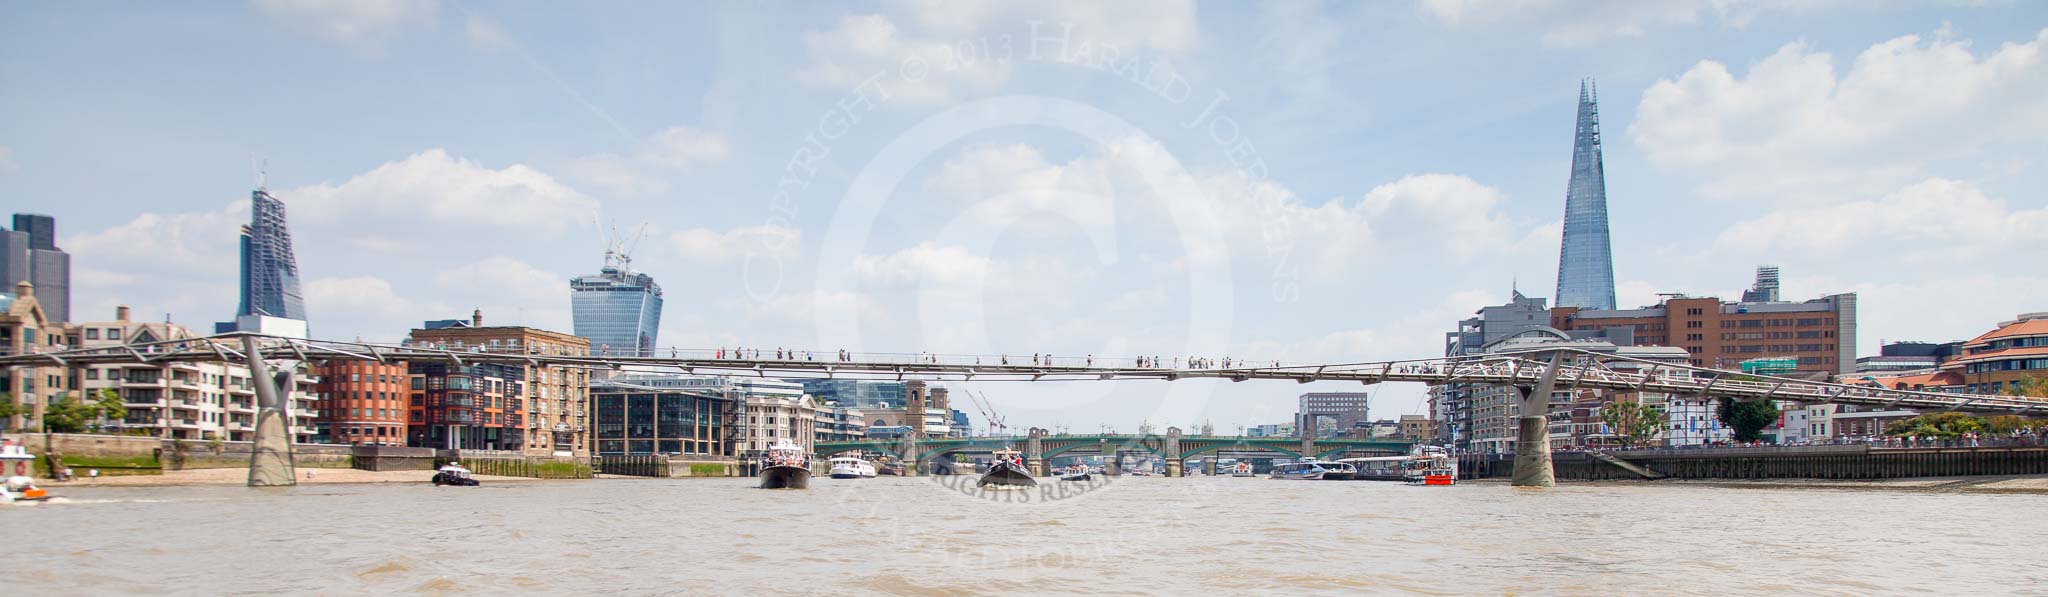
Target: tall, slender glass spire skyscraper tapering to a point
1586 261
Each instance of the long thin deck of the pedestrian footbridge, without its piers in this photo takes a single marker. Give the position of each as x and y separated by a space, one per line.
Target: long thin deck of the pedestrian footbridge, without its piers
1584 369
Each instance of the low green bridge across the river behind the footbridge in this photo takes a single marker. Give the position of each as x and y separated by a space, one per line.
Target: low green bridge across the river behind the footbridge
1175 449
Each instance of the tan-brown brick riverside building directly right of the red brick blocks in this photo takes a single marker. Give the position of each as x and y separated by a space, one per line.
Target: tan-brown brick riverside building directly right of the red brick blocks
534 410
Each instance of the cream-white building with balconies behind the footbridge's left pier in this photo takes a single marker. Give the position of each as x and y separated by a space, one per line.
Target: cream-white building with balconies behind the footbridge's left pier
185 400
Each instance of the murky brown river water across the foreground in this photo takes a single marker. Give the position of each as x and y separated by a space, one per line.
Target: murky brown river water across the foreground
929 537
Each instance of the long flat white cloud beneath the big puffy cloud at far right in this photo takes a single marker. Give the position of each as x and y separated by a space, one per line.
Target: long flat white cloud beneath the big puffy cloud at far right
1930 220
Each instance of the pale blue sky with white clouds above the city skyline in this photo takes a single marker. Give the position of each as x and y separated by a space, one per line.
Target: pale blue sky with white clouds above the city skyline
1285 181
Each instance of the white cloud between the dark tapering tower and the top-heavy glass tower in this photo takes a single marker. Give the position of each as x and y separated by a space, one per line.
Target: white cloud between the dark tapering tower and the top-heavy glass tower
447 191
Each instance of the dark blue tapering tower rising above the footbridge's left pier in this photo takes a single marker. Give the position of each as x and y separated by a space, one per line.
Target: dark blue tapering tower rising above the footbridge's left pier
269 271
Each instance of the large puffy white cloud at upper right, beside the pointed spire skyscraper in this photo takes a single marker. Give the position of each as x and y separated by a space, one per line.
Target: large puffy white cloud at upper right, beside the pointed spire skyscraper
1795 130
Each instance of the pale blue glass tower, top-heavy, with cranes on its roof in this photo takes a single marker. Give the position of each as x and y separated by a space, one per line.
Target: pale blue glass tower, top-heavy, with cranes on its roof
617 312
